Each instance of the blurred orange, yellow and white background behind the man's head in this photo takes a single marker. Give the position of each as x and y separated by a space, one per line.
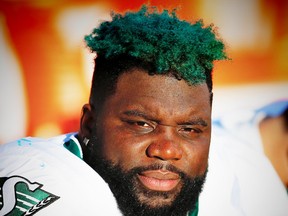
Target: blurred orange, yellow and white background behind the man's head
45 68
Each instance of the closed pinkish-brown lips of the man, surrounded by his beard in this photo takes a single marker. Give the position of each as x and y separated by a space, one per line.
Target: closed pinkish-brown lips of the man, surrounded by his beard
159 180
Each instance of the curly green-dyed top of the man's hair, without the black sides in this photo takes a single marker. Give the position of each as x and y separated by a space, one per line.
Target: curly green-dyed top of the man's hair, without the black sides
160 39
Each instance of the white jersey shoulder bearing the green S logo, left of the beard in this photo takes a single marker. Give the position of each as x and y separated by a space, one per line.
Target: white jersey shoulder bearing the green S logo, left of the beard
41 177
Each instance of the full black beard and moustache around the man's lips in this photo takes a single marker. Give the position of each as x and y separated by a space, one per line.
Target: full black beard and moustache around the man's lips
135 199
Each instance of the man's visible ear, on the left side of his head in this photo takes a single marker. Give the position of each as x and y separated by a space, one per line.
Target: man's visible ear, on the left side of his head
87 123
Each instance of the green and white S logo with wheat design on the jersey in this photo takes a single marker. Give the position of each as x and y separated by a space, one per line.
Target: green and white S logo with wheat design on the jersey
19 196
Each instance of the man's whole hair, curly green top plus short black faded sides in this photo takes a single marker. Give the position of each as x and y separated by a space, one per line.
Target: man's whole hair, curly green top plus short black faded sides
158 42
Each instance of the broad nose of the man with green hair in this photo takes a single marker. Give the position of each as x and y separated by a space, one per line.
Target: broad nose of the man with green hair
164 147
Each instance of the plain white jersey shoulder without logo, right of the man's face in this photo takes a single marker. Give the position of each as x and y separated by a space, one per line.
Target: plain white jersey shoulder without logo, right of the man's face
241 180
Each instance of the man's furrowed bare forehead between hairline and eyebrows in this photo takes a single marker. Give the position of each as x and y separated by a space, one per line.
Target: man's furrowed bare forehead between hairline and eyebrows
160 93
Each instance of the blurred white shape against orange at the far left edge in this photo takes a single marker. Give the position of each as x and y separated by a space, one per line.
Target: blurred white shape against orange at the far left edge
12 94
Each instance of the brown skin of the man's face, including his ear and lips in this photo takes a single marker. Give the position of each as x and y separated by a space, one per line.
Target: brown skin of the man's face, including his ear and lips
158 120
